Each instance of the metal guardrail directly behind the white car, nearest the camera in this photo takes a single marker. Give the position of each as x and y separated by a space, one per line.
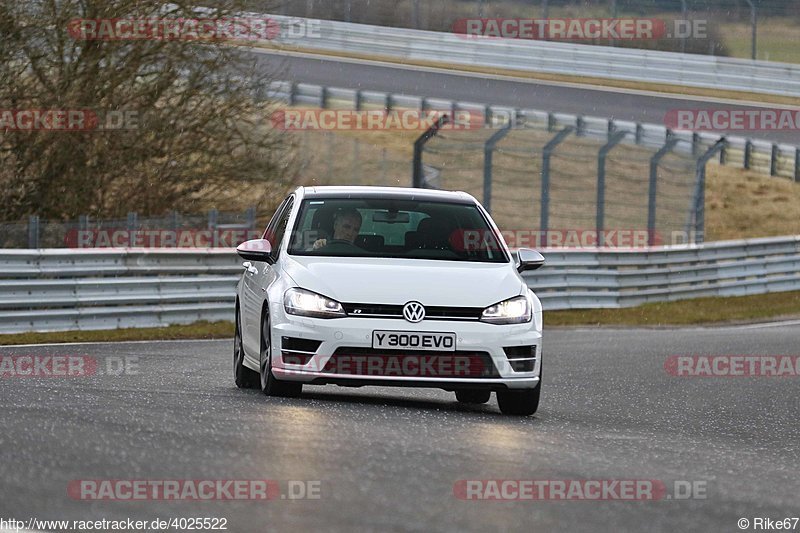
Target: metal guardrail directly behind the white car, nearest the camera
59 290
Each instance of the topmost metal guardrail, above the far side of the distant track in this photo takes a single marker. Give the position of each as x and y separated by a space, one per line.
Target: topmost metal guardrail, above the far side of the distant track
551 57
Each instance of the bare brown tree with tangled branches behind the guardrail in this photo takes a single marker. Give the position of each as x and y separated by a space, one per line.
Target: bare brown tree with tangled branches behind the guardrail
195 130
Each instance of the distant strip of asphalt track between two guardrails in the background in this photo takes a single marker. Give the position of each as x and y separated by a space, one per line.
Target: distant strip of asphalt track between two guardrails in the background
621 104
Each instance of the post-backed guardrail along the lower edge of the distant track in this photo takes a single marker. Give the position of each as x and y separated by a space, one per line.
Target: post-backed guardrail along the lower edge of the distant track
760 156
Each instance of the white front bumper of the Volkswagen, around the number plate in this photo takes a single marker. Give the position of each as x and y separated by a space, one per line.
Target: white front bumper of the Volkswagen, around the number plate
343 335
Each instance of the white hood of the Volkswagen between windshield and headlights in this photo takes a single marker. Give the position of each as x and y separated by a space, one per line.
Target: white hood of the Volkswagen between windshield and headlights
397 281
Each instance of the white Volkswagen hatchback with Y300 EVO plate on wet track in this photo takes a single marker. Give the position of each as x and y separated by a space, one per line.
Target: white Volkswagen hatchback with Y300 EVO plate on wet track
387 286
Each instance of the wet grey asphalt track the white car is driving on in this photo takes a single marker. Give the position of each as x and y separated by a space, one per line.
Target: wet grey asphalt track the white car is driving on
388 459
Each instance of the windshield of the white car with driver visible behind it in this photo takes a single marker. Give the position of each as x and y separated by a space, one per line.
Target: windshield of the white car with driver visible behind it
394 228
